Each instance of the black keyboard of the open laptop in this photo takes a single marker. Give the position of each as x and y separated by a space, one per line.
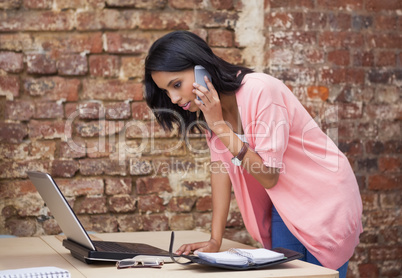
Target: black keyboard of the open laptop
123 247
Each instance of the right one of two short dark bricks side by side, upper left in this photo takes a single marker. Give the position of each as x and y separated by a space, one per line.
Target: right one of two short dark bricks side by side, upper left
72 64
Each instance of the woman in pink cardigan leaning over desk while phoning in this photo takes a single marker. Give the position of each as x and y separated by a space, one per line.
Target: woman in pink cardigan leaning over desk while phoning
293 186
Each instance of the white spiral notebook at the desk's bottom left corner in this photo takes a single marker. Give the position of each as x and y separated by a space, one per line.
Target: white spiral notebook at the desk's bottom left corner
34 272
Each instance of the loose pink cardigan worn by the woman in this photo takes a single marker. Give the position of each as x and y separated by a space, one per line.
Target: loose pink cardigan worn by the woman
317 195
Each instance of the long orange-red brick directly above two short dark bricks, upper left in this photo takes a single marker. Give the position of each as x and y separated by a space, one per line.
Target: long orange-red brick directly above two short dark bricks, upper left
69 43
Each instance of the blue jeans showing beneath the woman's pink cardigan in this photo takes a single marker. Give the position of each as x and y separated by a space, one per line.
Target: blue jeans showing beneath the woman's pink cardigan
282 237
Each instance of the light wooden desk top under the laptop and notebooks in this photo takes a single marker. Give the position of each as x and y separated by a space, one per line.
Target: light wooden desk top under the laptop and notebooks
48 251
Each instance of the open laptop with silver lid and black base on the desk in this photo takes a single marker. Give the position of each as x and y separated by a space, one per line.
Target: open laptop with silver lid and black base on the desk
78 241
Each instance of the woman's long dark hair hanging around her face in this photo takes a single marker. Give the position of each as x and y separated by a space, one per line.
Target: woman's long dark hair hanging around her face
178 51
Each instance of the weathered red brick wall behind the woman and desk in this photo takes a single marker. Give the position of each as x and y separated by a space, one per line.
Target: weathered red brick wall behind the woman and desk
71 105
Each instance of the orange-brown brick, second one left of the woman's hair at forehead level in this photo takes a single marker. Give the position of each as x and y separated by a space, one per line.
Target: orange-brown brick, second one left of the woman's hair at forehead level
53 88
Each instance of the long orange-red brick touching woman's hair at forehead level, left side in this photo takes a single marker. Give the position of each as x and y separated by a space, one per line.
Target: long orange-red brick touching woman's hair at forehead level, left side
112 90
